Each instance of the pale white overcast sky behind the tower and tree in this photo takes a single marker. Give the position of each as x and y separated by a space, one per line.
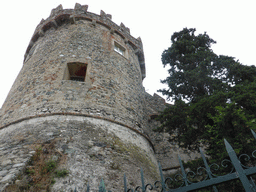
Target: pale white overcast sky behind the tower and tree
229 22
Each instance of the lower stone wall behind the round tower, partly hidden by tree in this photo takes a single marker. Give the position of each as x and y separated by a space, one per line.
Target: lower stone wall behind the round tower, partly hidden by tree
166 152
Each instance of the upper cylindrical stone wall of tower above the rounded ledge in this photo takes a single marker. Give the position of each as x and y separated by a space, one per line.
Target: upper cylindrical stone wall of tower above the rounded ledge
113 86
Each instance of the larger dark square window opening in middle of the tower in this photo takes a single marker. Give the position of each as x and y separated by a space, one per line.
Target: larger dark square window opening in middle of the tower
76 71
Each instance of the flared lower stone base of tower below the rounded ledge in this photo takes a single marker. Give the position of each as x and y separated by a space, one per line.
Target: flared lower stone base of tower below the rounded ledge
95 149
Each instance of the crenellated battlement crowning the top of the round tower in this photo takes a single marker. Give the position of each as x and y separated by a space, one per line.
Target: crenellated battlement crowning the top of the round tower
59 16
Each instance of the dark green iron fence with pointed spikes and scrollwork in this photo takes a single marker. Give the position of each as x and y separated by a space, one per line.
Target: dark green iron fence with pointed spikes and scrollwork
186 182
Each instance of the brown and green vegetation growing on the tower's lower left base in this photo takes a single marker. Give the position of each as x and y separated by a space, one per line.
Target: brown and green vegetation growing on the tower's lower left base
41 171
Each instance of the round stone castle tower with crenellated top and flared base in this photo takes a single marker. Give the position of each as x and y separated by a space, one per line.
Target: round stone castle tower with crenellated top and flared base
80 89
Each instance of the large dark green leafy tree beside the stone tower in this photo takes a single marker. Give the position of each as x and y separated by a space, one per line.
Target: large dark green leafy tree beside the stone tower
214 96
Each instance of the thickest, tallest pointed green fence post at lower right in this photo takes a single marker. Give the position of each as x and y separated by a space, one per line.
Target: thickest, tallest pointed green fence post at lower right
239 170
